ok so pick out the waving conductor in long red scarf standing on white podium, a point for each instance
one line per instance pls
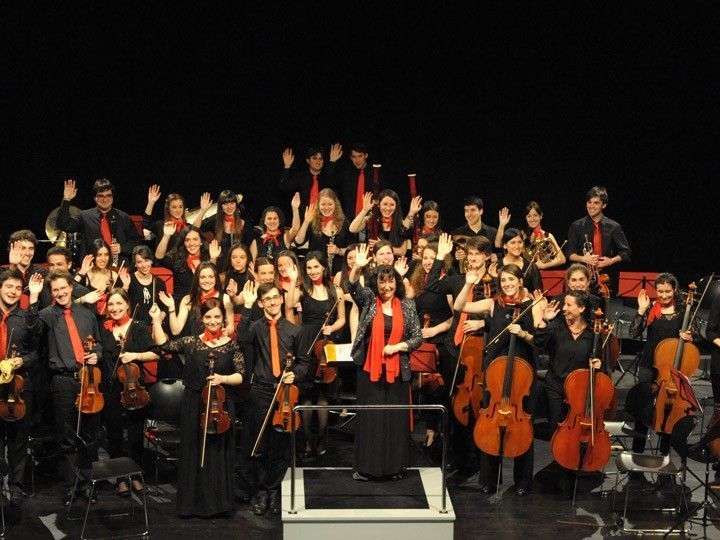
(388, 331)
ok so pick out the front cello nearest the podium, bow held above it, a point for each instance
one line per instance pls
(503, 428)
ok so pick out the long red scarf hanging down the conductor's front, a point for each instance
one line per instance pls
(374, 359)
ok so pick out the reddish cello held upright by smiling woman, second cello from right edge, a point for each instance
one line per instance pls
(581, 442)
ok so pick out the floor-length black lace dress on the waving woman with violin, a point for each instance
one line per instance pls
(207, 491)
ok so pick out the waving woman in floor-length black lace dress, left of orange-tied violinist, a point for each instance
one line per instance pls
(206, 491)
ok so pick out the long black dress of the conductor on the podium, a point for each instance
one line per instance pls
(382, 438)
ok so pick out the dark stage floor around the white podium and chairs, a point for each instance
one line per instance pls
(541, 514)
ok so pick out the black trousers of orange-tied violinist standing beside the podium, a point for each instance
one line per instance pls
(266, 471)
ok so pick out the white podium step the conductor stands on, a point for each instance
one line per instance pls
(367, 523)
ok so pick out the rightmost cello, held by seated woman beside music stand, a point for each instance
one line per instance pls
(670, 353)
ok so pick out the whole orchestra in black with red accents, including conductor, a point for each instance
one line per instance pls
(84, 337)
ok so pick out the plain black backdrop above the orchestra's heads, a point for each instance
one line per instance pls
(512, 102)
